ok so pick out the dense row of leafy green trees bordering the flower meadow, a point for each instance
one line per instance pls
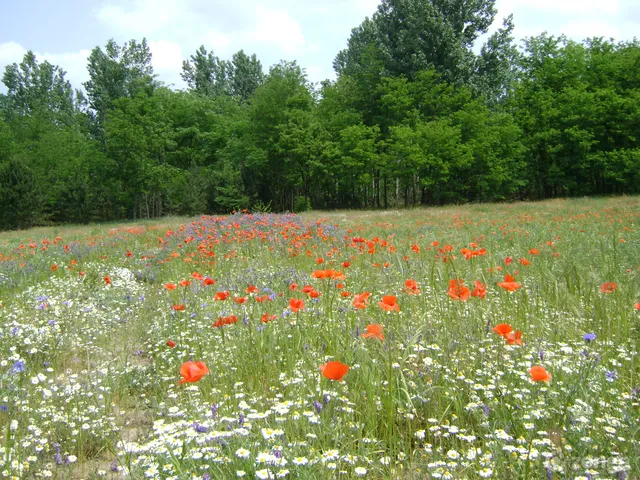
(414, 117)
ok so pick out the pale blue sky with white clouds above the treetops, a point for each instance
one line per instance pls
(311, 32)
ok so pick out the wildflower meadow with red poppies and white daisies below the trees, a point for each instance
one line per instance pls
(486, 341)
